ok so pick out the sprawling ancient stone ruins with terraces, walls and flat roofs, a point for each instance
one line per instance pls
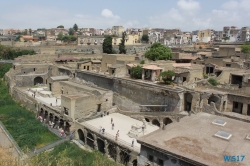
(187, 123)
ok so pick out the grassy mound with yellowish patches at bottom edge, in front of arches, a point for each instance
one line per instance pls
(69, 154)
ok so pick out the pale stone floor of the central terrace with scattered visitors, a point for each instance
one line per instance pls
(122, 123)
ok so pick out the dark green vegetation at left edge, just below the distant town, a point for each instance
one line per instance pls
(7, 52)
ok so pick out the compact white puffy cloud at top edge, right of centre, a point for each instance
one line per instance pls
(188, 5)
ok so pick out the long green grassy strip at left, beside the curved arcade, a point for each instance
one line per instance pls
(21, 123)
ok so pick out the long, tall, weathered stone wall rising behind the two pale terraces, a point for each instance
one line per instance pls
(139, 93)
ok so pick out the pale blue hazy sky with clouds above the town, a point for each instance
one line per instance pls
(187, 15)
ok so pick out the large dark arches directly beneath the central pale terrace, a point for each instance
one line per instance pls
(88, 139)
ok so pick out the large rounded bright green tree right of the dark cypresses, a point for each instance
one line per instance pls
(158, 52)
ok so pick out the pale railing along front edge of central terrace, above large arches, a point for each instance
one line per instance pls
(111, 137)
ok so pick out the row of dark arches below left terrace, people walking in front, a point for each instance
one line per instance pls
(58, 122)
